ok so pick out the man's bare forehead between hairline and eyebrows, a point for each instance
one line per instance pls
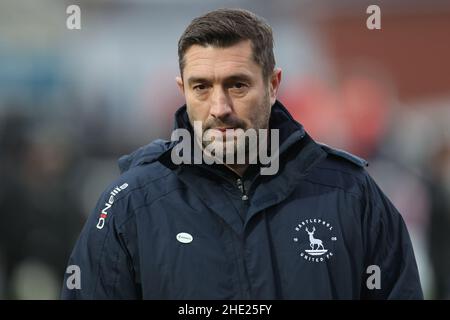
(213, 62)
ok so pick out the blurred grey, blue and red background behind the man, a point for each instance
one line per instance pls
(73, 101)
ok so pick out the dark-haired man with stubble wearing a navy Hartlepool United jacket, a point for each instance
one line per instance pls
(315, 226)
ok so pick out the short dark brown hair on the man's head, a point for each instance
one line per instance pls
(225, 27)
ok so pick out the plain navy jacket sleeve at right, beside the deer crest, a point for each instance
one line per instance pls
(389, 251)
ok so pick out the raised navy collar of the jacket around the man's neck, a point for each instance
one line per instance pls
(298, 154)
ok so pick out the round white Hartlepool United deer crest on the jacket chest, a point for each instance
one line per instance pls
(315, 238)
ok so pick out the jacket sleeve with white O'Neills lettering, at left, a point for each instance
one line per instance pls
(100, 266)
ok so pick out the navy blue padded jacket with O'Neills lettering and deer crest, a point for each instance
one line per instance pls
(318, 229)
